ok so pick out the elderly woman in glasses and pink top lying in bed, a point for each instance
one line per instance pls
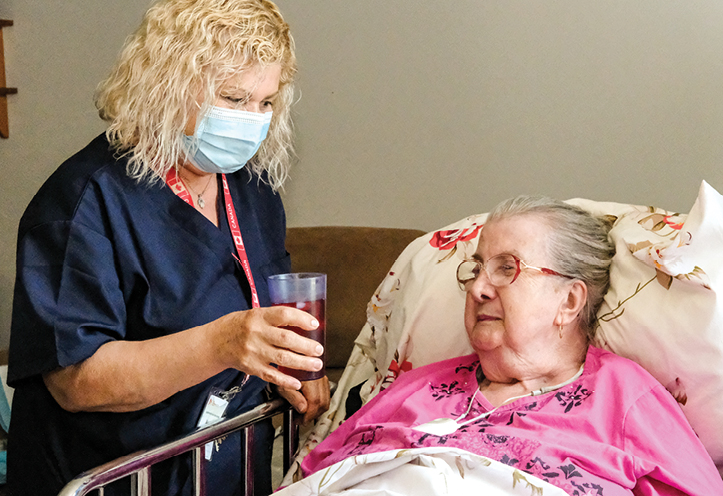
(536, 395)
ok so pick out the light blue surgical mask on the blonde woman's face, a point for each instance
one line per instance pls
(227, 139)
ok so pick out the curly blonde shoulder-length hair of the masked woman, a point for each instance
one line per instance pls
(184, 48)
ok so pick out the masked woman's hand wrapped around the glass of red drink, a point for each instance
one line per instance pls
(252, 340)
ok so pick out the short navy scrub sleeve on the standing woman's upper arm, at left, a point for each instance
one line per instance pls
(67, 298)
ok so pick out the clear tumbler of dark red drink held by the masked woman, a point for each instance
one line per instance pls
(305, 291)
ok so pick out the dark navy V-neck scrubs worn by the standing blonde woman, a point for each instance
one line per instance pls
(100, 258)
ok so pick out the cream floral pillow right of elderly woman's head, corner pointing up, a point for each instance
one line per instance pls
(664, 309)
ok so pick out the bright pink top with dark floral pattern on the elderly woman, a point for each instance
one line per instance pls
(613, 431)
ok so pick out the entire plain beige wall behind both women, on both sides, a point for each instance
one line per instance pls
(417, 113)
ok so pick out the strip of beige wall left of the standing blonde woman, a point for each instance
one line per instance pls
(55, 54)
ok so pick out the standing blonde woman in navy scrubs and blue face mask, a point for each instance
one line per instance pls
(142, 261)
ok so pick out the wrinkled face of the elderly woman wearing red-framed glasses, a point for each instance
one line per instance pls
(513, 327)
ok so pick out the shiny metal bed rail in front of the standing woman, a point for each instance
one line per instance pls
(137, 466)
